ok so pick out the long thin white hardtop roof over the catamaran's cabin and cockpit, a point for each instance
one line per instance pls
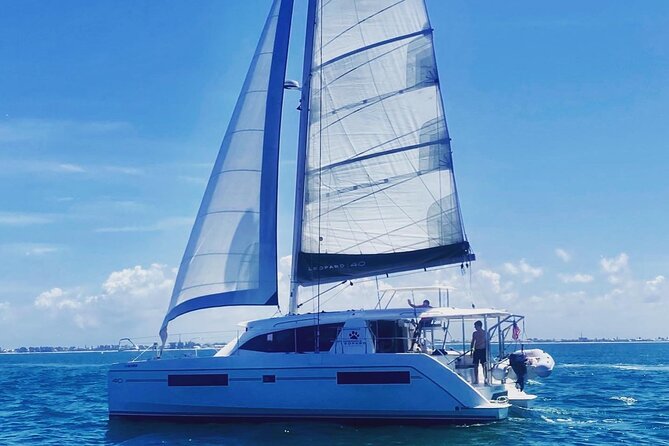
(387, 314)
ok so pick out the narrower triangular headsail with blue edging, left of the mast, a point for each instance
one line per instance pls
(230, 258)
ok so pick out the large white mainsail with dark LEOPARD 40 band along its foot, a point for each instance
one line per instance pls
(379, 193)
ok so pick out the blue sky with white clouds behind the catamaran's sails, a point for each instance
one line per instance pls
(112, 112)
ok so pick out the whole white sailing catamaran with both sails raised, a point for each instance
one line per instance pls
(375, 196)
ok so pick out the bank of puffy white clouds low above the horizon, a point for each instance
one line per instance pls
(132, 302)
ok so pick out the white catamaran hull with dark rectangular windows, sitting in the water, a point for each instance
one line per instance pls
(410, 387)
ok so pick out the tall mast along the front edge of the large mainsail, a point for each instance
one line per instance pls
(302, 151)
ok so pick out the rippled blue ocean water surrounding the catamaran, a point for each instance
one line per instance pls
(598, 394)
